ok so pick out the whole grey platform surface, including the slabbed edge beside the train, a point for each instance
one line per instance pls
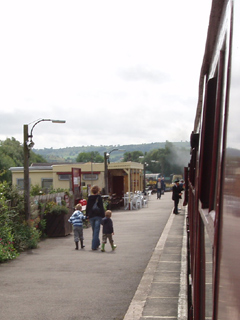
(137, 281)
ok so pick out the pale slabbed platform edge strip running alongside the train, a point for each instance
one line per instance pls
(162, 293)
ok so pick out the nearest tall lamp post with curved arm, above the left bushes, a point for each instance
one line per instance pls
(27, 146)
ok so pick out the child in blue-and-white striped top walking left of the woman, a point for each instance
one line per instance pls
(77, 221)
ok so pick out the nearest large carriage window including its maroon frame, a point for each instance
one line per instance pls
(212, 144)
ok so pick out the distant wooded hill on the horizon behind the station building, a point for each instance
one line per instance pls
(69, 154)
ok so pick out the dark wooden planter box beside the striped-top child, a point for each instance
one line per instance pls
(58, 225)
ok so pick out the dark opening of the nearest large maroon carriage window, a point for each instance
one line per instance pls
(212, 137)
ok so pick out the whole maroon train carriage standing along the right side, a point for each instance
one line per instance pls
(213, 190)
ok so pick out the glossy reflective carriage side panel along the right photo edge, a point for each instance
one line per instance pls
(229, 276)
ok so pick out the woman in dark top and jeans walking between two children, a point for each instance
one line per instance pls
(95, 215)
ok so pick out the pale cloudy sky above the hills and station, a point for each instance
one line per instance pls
(119, 72)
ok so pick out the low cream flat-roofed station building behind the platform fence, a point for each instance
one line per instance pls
(122, 176)
